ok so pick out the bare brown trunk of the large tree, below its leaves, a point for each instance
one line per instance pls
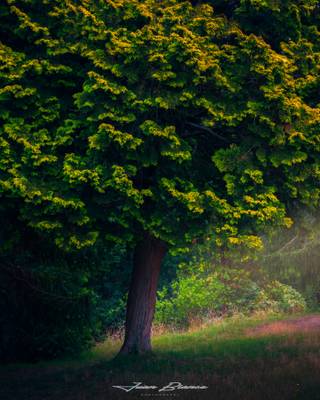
(147, 261)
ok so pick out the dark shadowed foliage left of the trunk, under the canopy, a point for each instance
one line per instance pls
(52, 304)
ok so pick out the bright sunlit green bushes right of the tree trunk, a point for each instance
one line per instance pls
(196, 296)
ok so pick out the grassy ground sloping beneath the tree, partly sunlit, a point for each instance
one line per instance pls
(240, 358)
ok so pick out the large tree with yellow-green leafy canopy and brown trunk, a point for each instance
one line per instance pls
(155, 123)
